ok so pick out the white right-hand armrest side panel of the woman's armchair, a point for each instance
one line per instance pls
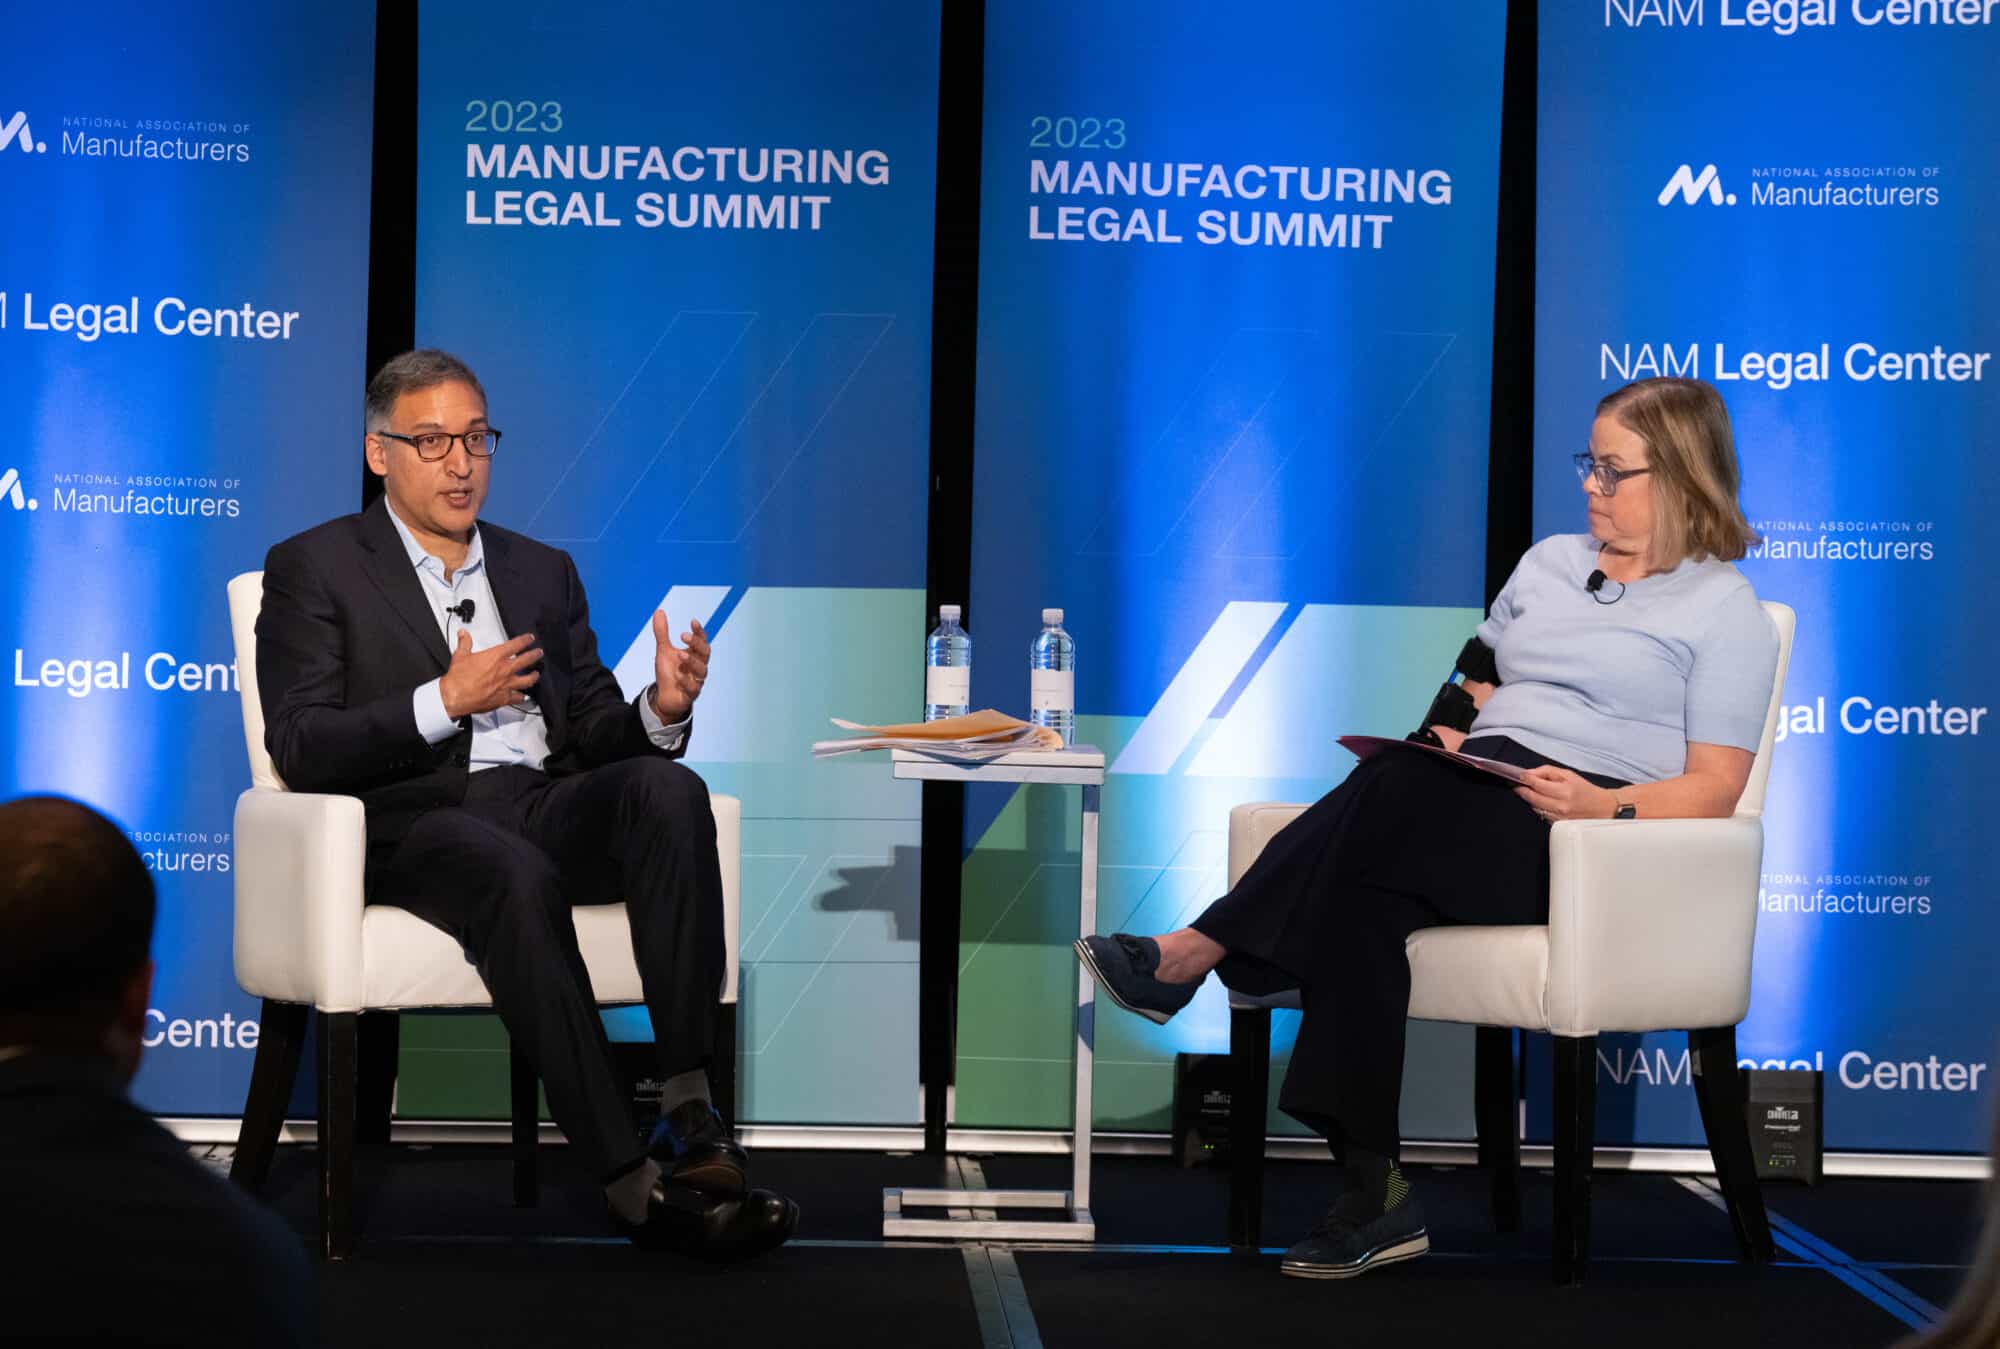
(1651, 924)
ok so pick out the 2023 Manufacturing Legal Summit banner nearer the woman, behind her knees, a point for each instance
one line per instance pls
(1233, 413)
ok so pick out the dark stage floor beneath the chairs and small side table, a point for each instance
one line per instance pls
(445, 1260)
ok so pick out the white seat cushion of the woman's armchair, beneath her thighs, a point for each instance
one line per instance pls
(1481, 976)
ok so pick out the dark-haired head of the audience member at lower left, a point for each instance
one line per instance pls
(75, 932)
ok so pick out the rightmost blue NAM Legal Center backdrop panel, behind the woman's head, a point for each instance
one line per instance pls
(1799, 203)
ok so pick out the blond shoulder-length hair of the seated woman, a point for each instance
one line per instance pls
(1693, 459)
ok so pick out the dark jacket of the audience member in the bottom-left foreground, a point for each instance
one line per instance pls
(111, 1234)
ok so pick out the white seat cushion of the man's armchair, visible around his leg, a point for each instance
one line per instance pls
(411, 964)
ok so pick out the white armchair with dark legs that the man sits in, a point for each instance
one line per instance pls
(307, 942)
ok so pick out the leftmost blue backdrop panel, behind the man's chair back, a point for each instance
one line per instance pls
(183, 277)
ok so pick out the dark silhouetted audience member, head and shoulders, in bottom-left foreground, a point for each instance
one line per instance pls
(111, 1234)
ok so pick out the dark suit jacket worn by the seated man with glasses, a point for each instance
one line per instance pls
(347, 635)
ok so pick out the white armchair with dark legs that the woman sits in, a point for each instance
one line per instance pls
(1651, 928)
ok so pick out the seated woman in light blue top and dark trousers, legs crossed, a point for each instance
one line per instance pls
(1629, 671)
